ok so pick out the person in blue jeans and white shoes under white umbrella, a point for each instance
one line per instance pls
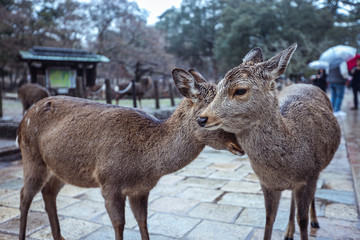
(337, 80)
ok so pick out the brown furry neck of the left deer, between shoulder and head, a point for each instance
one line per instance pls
(179, 144)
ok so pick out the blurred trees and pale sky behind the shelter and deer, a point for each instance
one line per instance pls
(211, 36)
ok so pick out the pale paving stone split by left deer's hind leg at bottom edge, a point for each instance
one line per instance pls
(70, 229)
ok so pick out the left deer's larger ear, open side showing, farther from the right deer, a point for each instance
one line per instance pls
(186, 83)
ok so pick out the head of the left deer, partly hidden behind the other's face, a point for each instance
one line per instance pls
(199, 93)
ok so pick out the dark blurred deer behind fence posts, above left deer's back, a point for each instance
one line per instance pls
(140, 89)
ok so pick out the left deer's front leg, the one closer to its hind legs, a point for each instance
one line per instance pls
(115, 206)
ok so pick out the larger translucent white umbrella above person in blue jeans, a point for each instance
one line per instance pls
(335, 55)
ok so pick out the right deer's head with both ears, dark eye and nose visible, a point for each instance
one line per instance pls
(245, 93)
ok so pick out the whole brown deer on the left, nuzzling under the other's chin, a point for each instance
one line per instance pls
(123, 151)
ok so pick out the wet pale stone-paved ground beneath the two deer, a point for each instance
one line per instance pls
(216, 197)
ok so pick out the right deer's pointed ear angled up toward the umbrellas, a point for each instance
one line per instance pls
(276, 65)
